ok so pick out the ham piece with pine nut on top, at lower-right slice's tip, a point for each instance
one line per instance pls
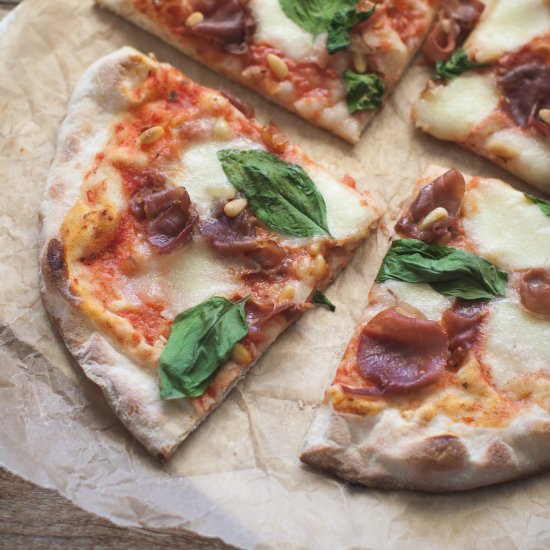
(435, 209)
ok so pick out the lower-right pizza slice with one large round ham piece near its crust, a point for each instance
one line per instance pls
(445, 383)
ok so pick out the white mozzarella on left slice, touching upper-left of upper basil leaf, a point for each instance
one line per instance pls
(201, 173)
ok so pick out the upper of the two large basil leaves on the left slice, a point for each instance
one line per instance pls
(281, 194)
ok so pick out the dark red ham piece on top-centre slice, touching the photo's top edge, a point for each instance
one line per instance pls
(225, 22)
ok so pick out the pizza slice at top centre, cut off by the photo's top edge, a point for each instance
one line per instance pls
(333, 63)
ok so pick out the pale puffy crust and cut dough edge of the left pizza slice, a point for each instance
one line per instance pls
(130, 389)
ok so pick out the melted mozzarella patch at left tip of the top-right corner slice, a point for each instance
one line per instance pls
(451, 111)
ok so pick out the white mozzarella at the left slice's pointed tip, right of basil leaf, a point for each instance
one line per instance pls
(348, 214)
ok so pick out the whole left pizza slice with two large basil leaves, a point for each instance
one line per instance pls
(180, 238)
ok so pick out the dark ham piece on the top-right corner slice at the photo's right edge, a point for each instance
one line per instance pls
(526, 89)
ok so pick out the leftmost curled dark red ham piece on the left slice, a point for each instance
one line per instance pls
(170, 219)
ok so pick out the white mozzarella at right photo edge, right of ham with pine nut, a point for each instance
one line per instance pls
(505, 227)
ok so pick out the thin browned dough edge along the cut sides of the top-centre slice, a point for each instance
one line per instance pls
(335, 119)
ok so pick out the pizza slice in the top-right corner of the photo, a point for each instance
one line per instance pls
(491, 94)
